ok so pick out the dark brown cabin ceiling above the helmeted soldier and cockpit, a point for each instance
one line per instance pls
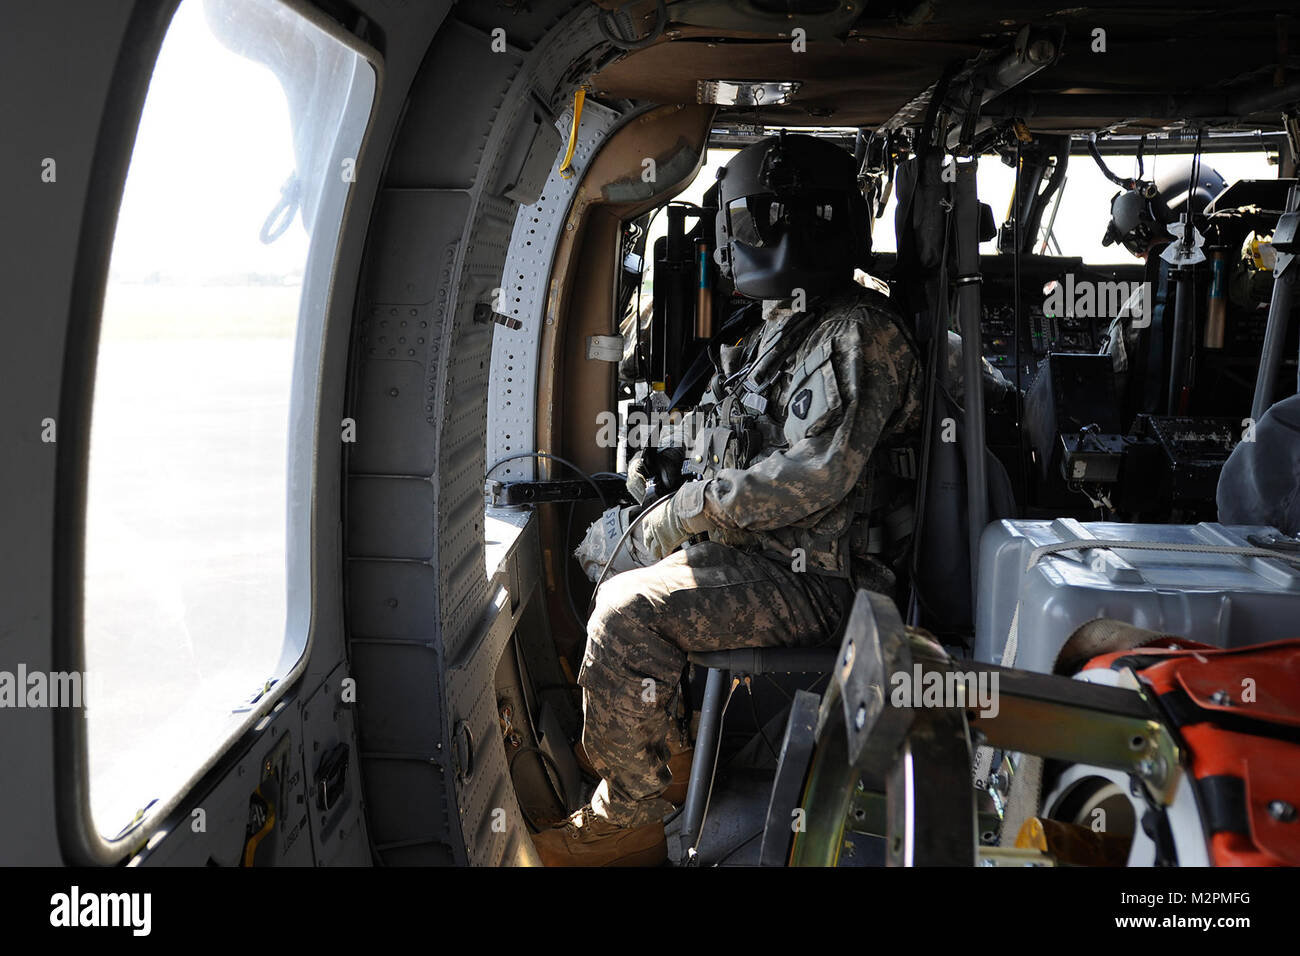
(1164, 64)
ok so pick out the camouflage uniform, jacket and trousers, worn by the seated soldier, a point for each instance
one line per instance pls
(791, 471)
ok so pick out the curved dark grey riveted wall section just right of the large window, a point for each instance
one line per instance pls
(426, 635)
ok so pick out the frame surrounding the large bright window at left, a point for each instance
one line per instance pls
(80, 837)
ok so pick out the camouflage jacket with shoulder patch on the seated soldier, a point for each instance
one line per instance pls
(792, 440)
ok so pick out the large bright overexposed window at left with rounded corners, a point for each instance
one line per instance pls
(198, 526)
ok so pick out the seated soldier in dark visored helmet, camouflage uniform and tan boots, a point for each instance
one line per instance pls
(786, 517)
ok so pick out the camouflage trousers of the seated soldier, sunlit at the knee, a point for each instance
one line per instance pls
(705, 598)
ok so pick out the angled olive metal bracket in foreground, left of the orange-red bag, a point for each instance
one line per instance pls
(920, 756)
